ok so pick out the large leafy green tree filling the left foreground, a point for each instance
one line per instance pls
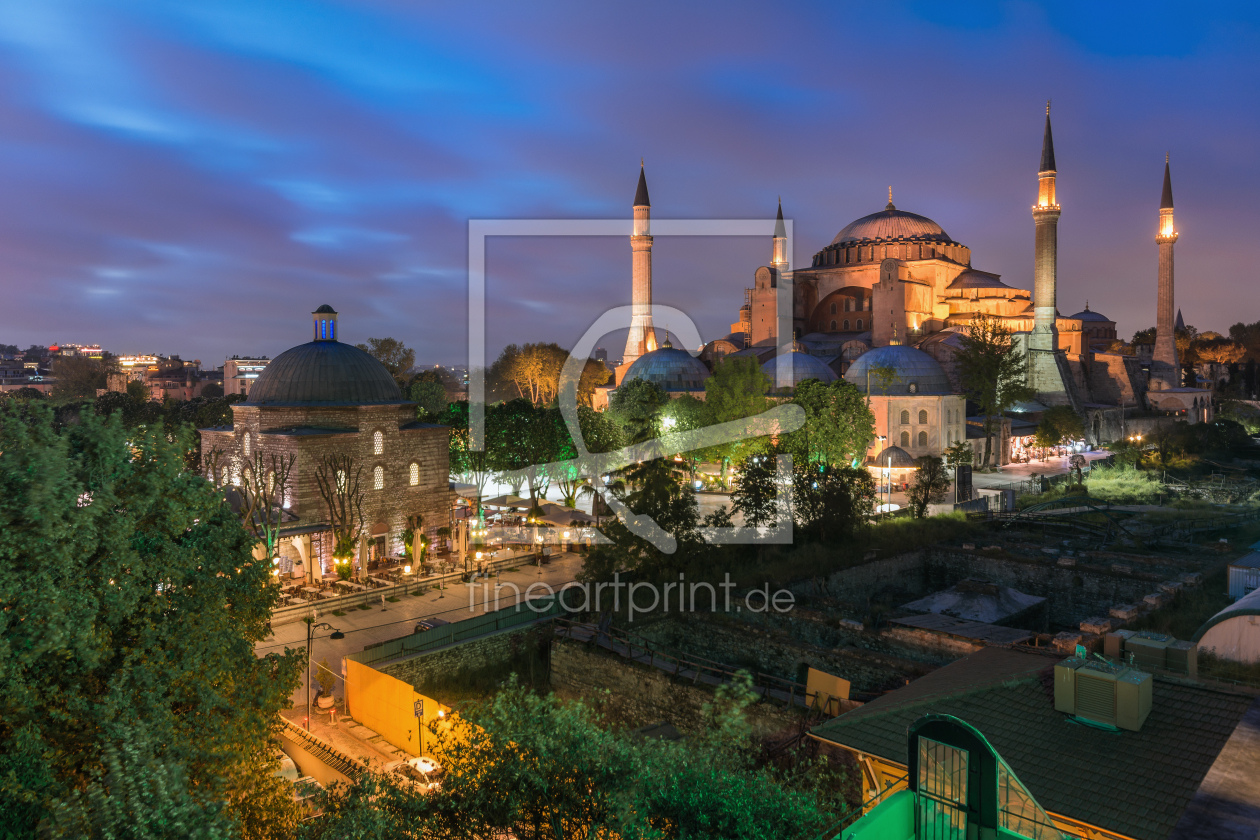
(139, 584)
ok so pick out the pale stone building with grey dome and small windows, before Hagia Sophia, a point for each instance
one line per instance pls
(915, 409)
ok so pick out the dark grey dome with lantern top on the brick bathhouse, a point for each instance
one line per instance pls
(326, 372)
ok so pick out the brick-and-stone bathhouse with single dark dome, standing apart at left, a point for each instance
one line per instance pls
(327, 399)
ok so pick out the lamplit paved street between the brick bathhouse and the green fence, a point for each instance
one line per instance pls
(364, 628)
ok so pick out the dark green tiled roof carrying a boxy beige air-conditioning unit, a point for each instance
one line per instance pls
(1137, 784)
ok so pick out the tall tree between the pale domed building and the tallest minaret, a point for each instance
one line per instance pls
(994, 373)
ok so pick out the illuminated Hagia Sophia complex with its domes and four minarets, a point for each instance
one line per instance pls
(894, 289)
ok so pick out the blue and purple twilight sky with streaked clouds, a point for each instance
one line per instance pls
(196, 178)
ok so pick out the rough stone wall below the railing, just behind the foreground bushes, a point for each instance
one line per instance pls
(634, 696)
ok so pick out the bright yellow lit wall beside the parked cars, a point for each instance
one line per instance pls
(387, 707)
